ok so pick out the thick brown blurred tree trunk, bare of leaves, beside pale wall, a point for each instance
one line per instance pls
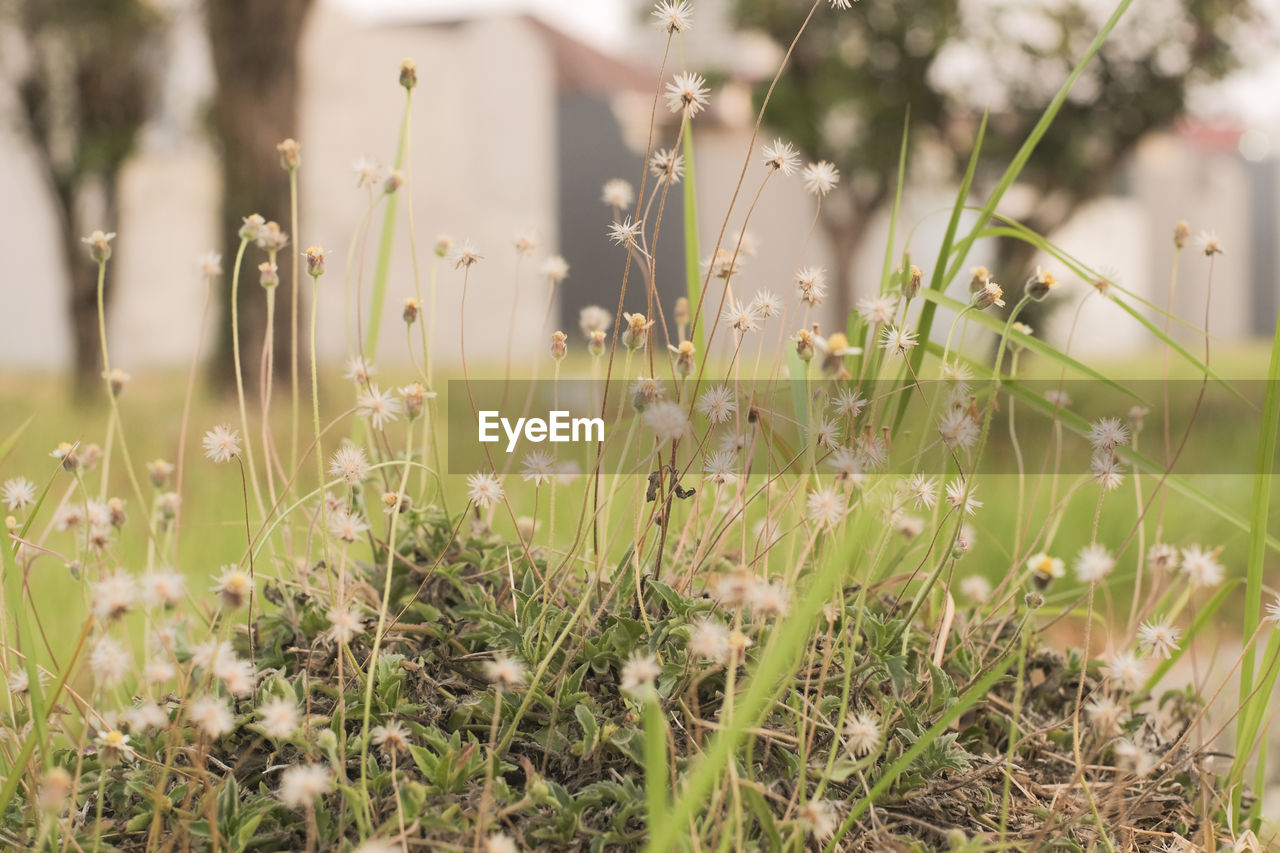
(255, 48)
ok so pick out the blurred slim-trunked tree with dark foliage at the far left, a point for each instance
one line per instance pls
(86, 89)
